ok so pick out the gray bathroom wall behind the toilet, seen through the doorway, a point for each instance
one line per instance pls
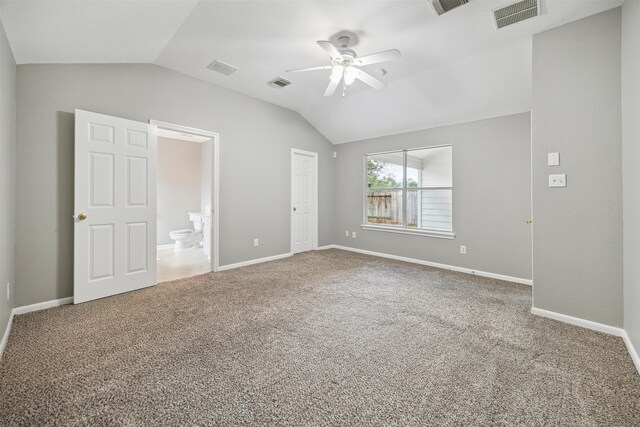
(178, 190)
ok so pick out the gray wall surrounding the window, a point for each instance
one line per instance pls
(491, 196)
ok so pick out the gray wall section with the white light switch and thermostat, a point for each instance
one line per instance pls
(577, 237)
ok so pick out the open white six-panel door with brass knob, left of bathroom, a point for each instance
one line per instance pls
(115, 206)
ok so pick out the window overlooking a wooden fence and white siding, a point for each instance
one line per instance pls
(410, 191)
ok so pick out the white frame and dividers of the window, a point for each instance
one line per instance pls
(403, 229)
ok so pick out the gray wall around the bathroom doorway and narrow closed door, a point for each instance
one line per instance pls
(255, 150)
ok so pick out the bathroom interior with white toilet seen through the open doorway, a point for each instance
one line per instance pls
(184, 197)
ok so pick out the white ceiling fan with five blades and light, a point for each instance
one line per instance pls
(345, 65)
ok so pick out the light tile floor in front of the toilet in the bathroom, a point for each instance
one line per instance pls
(174, 265)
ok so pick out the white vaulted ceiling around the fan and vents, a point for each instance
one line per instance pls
(454, 68)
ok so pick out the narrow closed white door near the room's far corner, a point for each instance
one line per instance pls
(303, 201)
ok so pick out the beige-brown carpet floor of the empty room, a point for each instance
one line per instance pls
(322, 338)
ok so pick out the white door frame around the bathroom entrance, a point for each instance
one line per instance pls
(215, 187)
